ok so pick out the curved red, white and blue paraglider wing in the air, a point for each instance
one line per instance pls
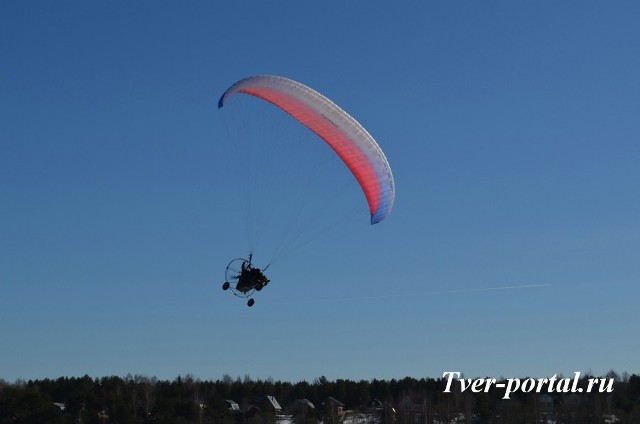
(355, 146)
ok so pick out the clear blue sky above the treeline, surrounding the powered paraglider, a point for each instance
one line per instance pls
(511, 128)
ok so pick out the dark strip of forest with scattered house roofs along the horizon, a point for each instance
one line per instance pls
(186, 399)
